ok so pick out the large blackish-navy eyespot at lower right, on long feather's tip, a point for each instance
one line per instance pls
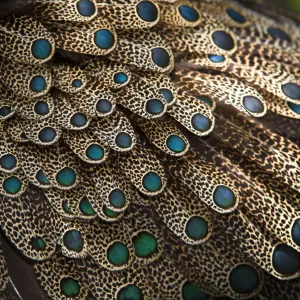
(285, 260)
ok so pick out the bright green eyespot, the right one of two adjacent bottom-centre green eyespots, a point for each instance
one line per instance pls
(145, 244)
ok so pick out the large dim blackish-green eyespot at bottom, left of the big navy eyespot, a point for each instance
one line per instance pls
(244, 279)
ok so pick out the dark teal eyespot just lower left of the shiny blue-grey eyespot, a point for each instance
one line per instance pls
(196, 228)
